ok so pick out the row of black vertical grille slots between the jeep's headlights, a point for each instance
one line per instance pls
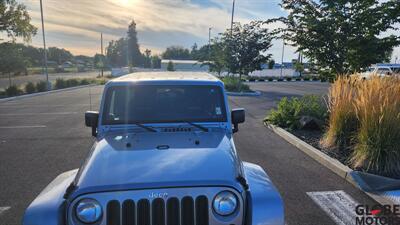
(187, 211)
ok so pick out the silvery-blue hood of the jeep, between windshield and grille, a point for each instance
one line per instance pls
(155, 160)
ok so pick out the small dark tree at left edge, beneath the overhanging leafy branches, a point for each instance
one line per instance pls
(11, 59)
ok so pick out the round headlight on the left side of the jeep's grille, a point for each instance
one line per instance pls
(88, 210)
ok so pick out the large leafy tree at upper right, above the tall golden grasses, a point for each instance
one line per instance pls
(341, 36)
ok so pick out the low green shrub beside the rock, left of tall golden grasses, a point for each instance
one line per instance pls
(289, 111)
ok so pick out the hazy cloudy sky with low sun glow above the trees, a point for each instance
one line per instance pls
(76, 24)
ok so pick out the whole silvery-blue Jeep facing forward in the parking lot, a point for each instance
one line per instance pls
(164, 155)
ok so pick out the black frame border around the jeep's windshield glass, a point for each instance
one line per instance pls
(107, 102)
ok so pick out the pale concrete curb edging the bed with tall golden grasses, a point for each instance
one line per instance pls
(333, 164)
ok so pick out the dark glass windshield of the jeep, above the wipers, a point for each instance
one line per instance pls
(163, 104)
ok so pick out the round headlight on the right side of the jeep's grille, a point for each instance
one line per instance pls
(225, 203)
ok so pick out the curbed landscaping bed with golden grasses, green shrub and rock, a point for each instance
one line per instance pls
(357, 123)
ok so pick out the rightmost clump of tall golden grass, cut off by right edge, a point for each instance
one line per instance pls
(377, 108)
